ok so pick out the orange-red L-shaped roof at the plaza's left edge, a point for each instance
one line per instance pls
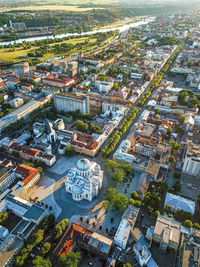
(27, 172)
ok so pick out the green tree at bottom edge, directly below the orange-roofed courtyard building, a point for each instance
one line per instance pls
(69, 260)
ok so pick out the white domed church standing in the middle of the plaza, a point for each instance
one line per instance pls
(84, 180)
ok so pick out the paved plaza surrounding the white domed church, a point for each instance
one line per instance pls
(51, 191)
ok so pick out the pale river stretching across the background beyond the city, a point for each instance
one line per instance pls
(120, 28)
